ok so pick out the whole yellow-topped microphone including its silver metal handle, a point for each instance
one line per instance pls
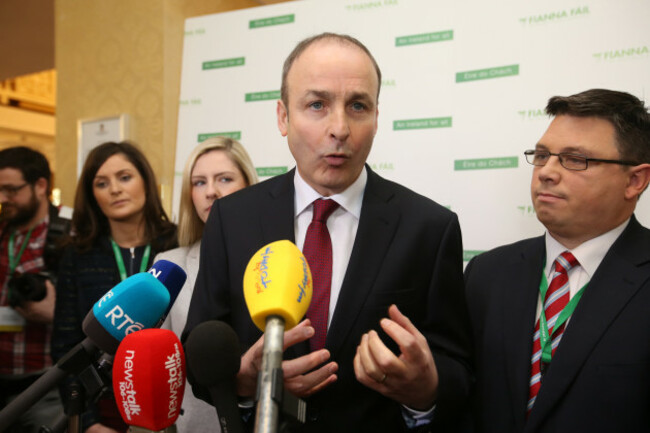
(277, 290)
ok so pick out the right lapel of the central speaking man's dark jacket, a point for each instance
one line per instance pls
(377, 225)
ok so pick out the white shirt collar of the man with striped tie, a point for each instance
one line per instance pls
(589, 253)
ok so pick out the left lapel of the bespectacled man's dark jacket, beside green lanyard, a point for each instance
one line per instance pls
(520, 295)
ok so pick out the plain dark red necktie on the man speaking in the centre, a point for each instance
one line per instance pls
(318, 252)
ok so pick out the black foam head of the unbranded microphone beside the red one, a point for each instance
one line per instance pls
(213, 353)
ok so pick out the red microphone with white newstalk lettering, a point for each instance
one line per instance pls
(149, 380)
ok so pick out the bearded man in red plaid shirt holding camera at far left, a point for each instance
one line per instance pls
(29, 224)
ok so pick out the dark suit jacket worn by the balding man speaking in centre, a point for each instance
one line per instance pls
(407, 251)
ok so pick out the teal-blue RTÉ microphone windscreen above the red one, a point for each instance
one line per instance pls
(134, 304)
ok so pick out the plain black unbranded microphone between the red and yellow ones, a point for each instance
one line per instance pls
(213, 358)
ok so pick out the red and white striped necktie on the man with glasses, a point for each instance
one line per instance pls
(557, 297)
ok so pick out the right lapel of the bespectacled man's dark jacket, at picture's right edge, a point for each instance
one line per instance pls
(617, 279)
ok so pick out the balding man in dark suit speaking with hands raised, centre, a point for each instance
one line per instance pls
(390, 246)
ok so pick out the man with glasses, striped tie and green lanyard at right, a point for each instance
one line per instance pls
(585, 366)
